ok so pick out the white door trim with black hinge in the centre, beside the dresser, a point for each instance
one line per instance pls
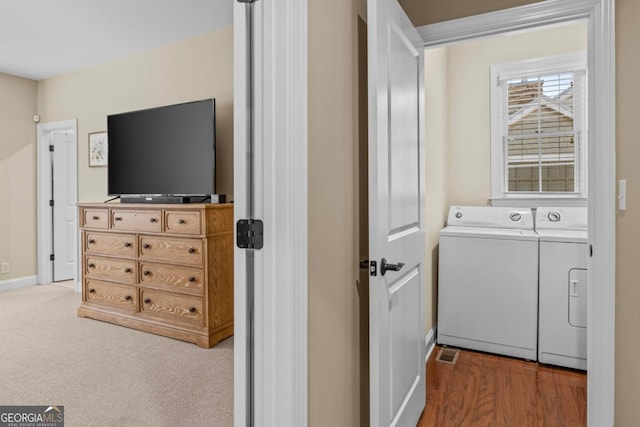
(280, 200)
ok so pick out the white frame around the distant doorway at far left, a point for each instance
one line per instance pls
(44, 191)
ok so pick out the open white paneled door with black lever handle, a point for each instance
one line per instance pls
(396, 224)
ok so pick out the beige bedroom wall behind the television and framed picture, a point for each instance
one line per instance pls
(197, 68)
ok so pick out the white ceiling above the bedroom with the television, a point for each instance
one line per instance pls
(44, 38)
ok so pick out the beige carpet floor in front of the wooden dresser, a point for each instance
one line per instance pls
(103, 374)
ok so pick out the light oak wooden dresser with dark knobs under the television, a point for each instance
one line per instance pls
(165, 269)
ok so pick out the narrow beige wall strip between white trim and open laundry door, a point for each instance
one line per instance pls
(334, 394)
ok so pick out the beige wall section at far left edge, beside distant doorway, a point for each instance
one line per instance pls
(17, 176)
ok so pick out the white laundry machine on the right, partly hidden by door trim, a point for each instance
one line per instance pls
(562, 331)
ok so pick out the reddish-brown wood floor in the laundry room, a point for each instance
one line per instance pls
(492, 391)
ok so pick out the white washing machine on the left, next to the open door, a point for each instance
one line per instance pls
(488, 281)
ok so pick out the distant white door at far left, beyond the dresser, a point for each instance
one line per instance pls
(64, 204)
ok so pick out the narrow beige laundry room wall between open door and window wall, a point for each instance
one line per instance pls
(436, 166)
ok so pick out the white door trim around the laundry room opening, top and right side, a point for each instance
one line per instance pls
(600, 15)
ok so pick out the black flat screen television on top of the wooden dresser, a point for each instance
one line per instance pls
(163, 154)
